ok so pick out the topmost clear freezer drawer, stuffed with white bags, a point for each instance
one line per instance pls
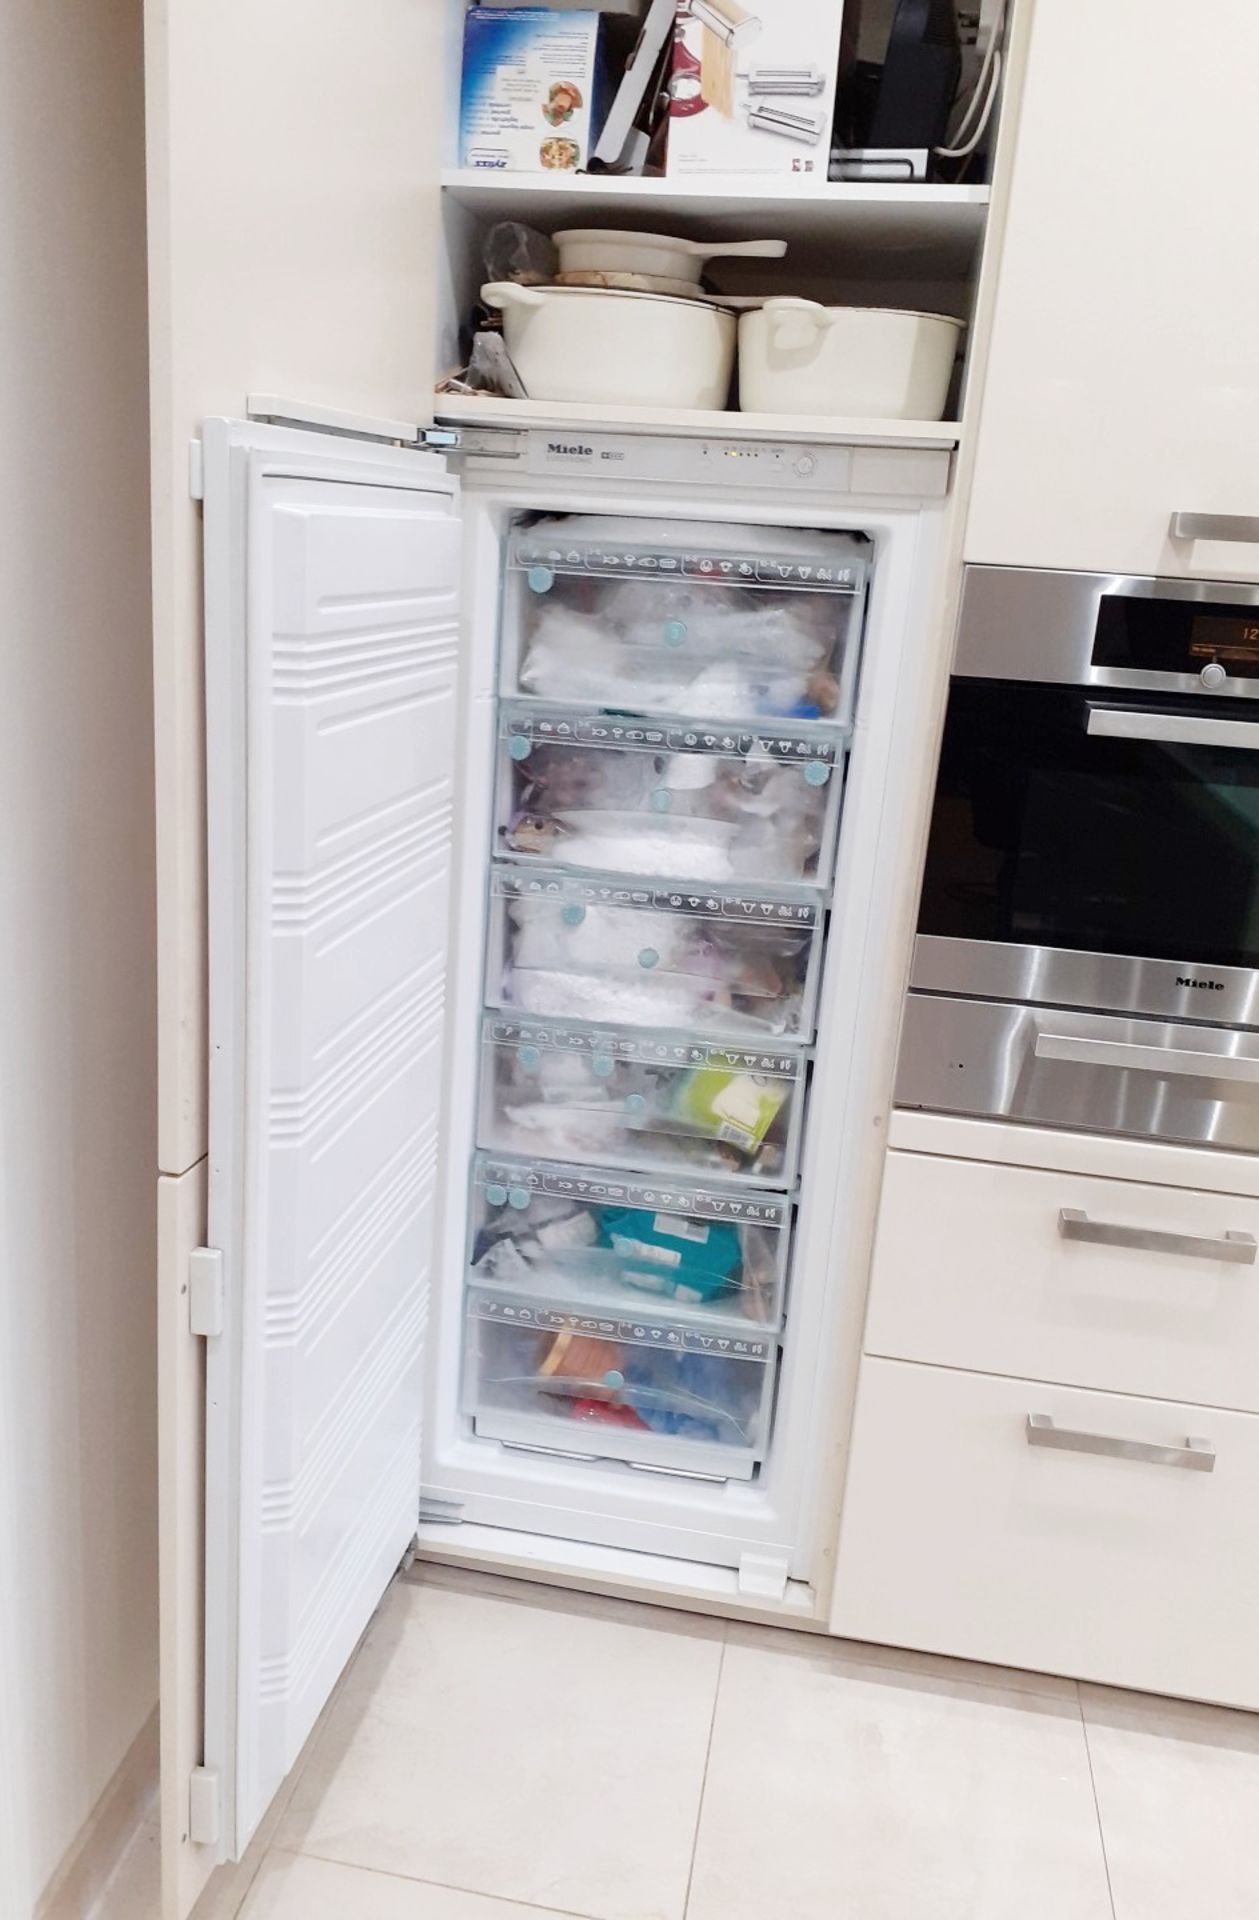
(721, 625)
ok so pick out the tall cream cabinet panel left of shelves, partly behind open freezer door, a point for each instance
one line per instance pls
(293, 170)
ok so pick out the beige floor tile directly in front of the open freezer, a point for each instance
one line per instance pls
(540, 1752)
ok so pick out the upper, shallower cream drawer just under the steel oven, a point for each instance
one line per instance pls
(976, 1266)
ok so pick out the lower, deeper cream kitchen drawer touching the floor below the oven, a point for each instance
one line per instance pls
(961, 1537)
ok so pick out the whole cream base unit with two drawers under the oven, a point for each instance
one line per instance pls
(1058, 1429)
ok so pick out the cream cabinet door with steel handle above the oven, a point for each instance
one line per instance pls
(1124, 377)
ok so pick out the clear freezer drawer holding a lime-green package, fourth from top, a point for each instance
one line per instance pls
(648, 1101)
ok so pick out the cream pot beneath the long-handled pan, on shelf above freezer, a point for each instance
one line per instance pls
(634, 350)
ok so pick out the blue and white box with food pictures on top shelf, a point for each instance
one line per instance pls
(534, 89)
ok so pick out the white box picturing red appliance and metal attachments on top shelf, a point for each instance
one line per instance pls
(753, 89)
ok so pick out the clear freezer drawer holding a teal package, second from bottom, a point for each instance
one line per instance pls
(630, 1245)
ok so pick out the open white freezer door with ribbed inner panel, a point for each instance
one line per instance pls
(331, 631)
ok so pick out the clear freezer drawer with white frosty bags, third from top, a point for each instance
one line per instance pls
(721, 961)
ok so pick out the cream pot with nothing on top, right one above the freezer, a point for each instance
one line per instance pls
(874, 364)
